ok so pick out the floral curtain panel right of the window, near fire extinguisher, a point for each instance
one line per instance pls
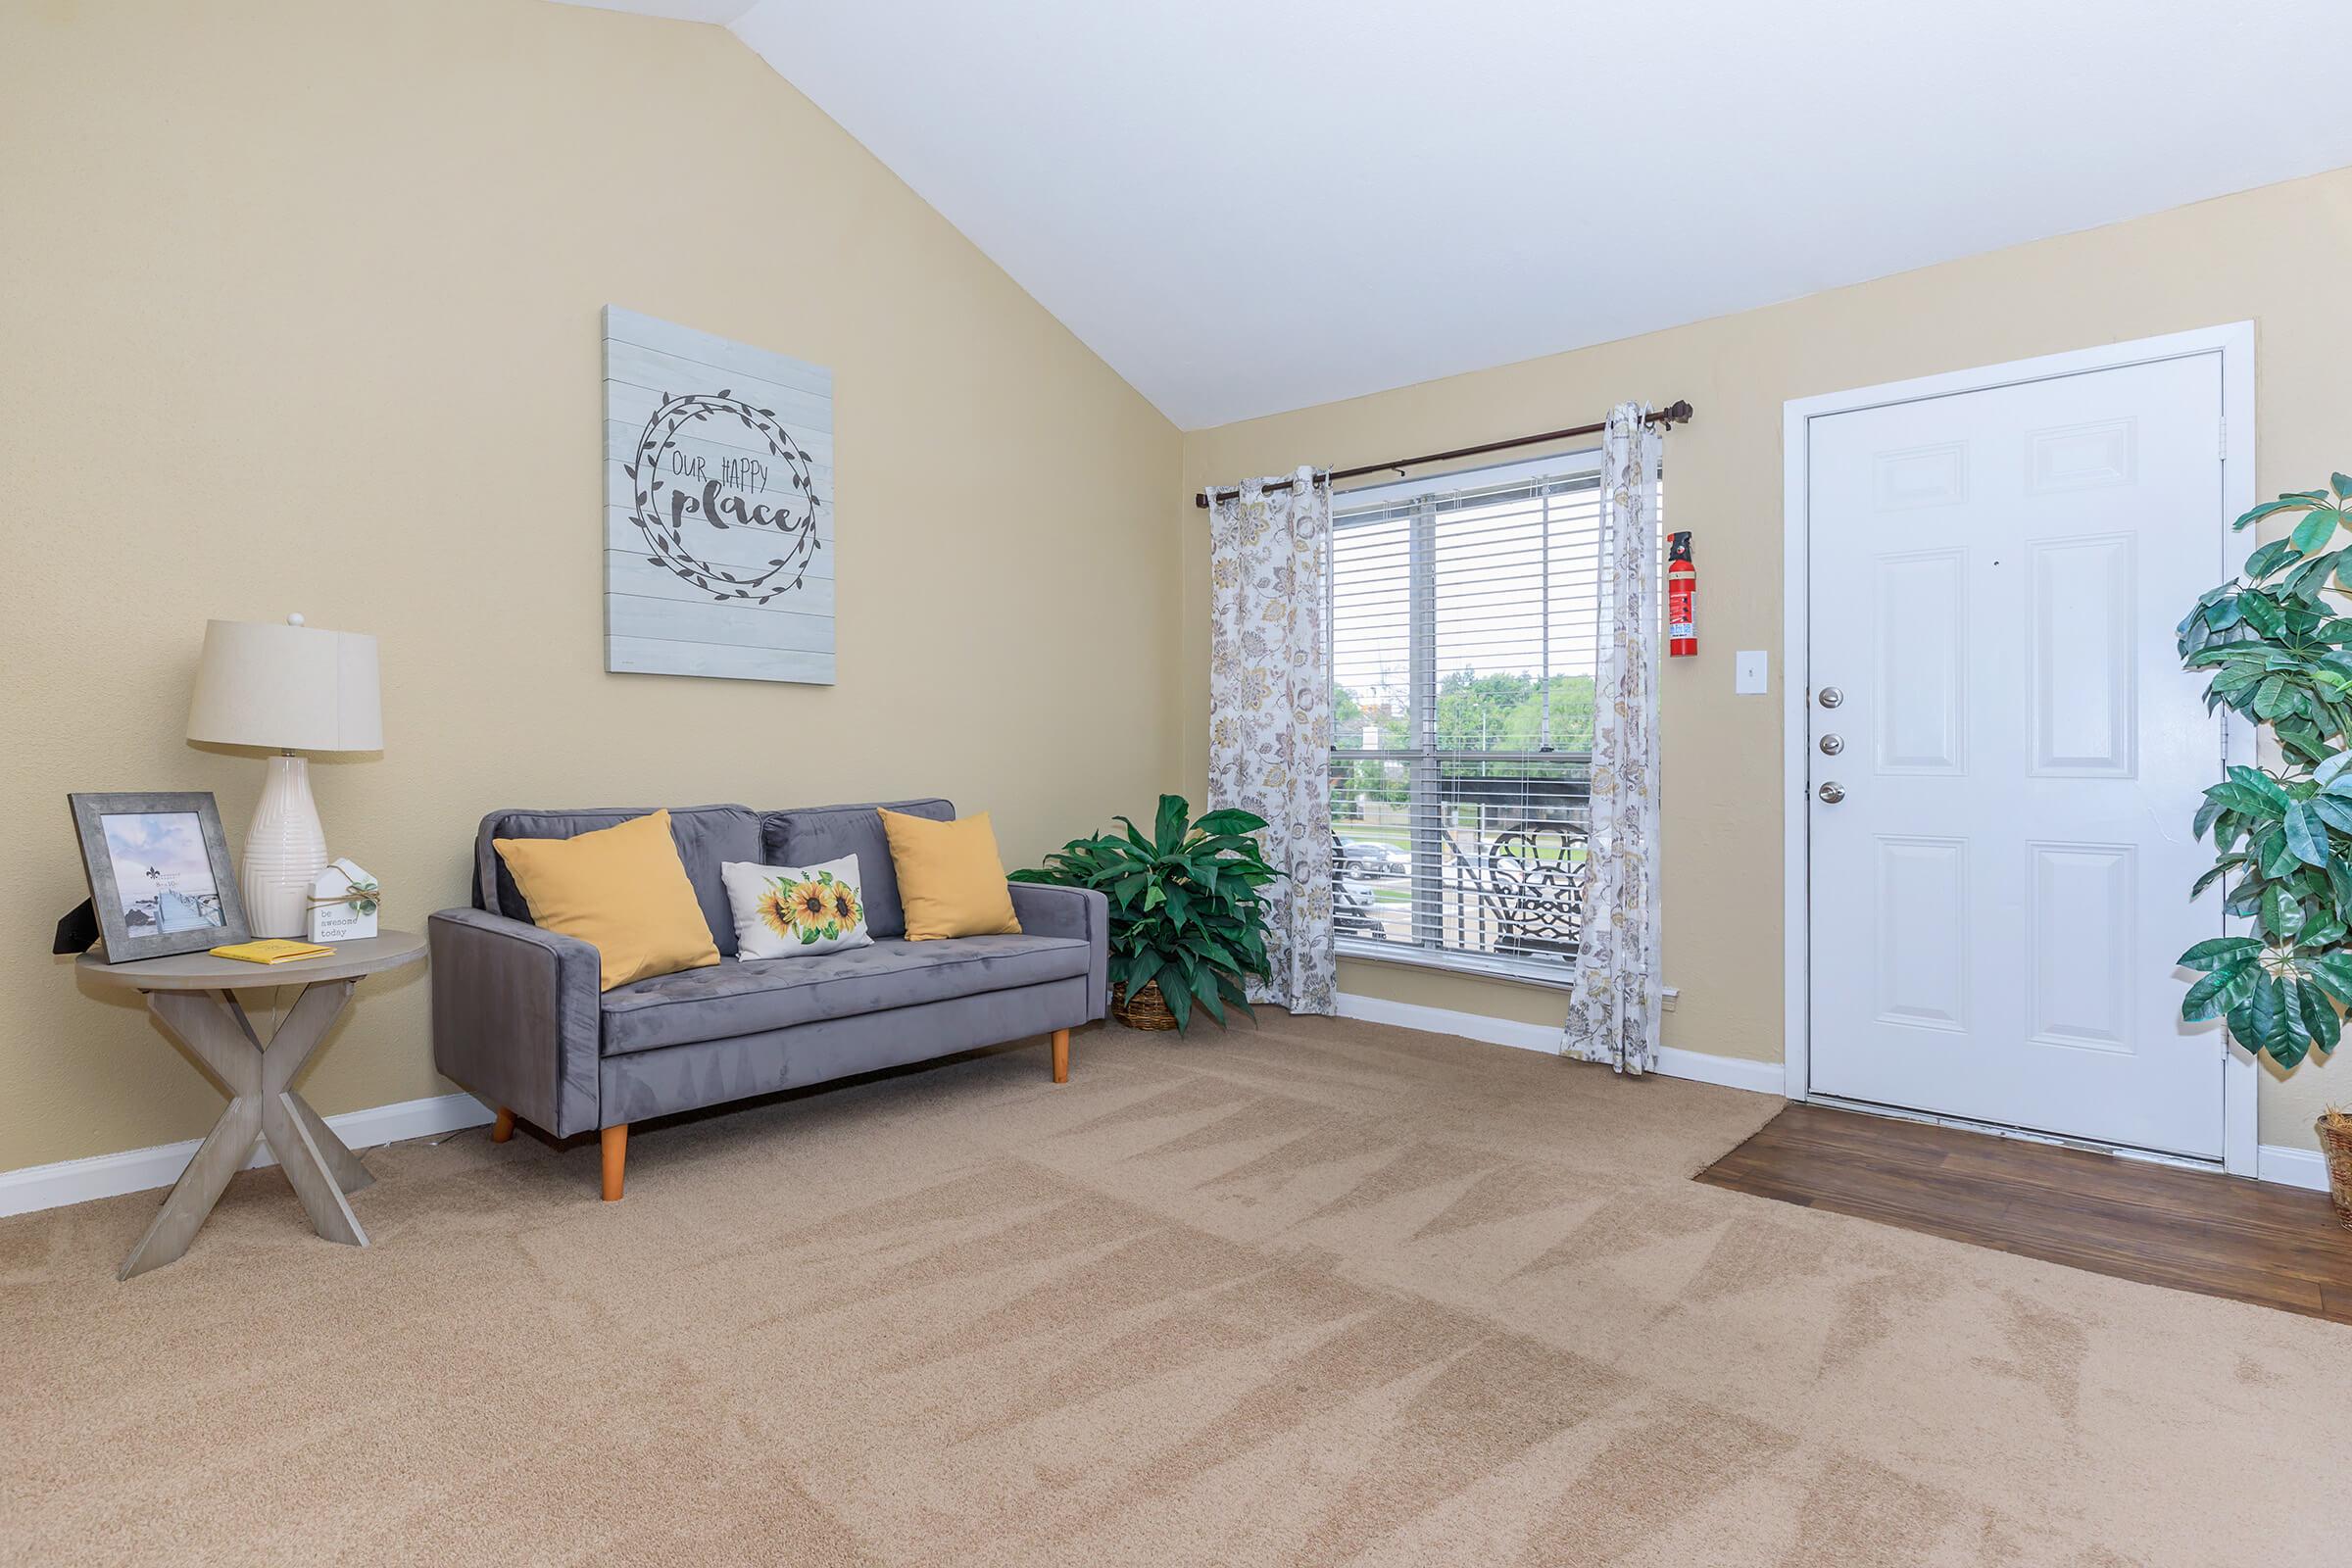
(1615, 1003)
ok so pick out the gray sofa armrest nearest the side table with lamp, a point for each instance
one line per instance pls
(519, 1019)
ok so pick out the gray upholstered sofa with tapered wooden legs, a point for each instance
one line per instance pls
(521, 1024)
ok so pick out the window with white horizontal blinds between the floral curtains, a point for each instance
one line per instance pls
(1464, 643)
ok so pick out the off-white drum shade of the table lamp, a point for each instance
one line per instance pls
(290, 688)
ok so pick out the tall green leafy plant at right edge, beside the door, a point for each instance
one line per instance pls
(2283, 838)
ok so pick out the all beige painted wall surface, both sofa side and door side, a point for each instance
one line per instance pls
(300, 311)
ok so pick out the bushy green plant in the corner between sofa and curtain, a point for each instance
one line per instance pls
(1187, 918)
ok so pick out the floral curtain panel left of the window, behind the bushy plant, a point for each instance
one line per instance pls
(1271, 713)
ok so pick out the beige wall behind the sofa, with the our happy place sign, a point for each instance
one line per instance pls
(300, 311)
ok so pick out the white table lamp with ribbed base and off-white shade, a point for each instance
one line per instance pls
(298, 690)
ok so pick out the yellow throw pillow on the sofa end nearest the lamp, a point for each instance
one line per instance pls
(620, 890)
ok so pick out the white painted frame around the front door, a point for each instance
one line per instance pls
(2238, 495)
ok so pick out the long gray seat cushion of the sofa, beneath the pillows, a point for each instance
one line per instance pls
(737, 998)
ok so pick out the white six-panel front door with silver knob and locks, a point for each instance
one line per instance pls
(2000, 892)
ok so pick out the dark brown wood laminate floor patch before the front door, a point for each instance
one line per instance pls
(2191, 1231)
